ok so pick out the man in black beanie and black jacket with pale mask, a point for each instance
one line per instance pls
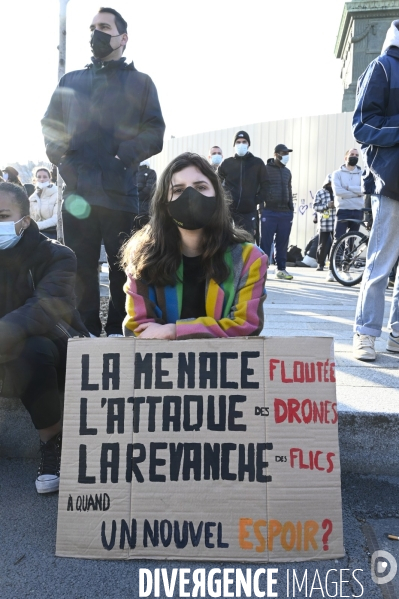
(244, 176)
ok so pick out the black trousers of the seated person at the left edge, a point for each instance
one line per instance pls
(36, 374)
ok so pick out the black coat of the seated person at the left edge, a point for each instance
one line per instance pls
(37, 290)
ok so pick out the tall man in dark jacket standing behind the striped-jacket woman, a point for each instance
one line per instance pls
(102, 121)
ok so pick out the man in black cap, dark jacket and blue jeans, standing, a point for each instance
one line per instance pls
(278, 212)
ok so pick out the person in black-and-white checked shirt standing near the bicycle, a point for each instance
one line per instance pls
(324, 205)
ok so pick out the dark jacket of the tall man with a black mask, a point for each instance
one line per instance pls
(106, 110)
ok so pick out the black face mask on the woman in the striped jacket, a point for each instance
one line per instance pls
(192, 210)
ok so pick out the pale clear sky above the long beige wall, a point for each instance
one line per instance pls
(216, 63)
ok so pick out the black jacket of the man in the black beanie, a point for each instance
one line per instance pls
(245, 178)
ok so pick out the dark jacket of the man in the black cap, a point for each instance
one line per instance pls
(278, 187)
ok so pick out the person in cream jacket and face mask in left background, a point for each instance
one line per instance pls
(43, 203)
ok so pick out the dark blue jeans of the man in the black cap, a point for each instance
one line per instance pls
(277, 224)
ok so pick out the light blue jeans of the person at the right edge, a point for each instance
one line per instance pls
(382, 253)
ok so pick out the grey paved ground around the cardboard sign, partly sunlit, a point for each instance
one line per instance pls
(366, 392)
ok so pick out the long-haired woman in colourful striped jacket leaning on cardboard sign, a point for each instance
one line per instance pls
(191, 274)
